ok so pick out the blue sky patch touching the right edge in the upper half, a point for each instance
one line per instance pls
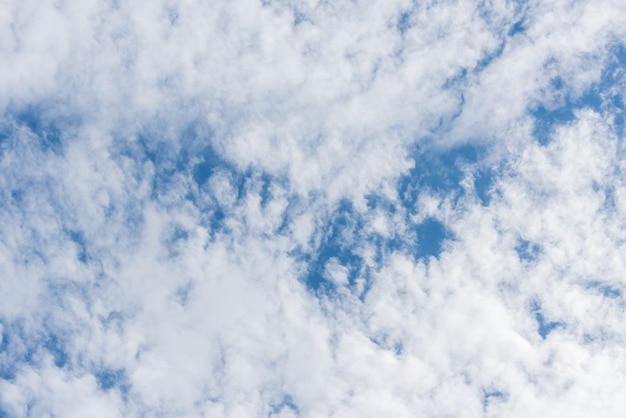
(601, 96)
